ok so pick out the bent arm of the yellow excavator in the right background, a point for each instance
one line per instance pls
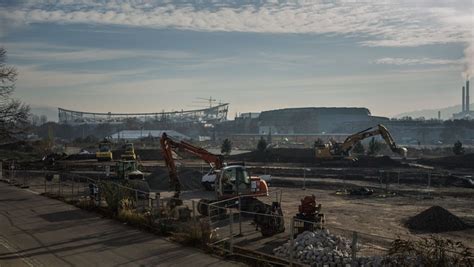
(373, 131)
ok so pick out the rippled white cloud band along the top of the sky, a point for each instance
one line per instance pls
(380, 23)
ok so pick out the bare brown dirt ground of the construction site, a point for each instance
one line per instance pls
(378, 218)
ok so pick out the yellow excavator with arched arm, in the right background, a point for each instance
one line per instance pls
(334, 150)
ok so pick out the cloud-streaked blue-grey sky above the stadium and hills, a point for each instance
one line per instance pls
(150, 56)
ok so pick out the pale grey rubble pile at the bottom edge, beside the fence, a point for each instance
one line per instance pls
(318, 248)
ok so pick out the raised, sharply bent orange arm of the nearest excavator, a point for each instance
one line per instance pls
(168, 145)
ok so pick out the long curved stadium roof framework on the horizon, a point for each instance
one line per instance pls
(209, 115)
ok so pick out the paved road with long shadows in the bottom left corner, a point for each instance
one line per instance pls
(38, 231)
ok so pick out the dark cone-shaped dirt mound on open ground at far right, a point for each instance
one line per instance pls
(436, 220)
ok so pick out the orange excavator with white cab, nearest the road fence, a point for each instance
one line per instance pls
(231, 181)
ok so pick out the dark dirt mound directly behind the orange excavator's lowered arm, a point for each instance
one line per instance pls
(190, 179)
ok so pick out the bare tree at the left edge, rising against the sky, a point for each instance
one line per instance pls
(13, 114)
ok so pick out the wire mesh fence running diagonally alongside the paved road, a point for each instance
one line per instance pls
(226, 227)
